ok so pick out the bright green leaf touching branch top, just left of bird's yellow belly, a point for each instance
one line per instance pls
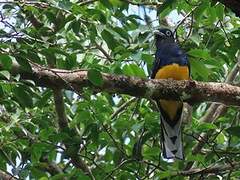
(133, 70)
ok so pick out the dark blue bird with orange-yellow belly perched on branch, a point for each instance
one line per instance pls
(170, 62)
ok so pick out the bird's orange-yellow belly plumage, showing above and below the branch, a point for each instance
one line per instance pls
(173, 71)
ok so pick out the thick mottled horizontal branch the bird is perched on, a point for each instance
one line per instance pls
(188, 91)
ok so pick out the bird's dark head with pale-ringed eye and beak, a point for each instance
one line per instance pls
(163, 35)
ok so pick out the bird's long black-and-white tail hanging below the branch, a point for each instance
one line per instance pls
(172, 139)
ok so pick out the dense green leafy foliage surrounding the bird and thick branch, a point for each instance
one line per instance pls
(114, 37)
